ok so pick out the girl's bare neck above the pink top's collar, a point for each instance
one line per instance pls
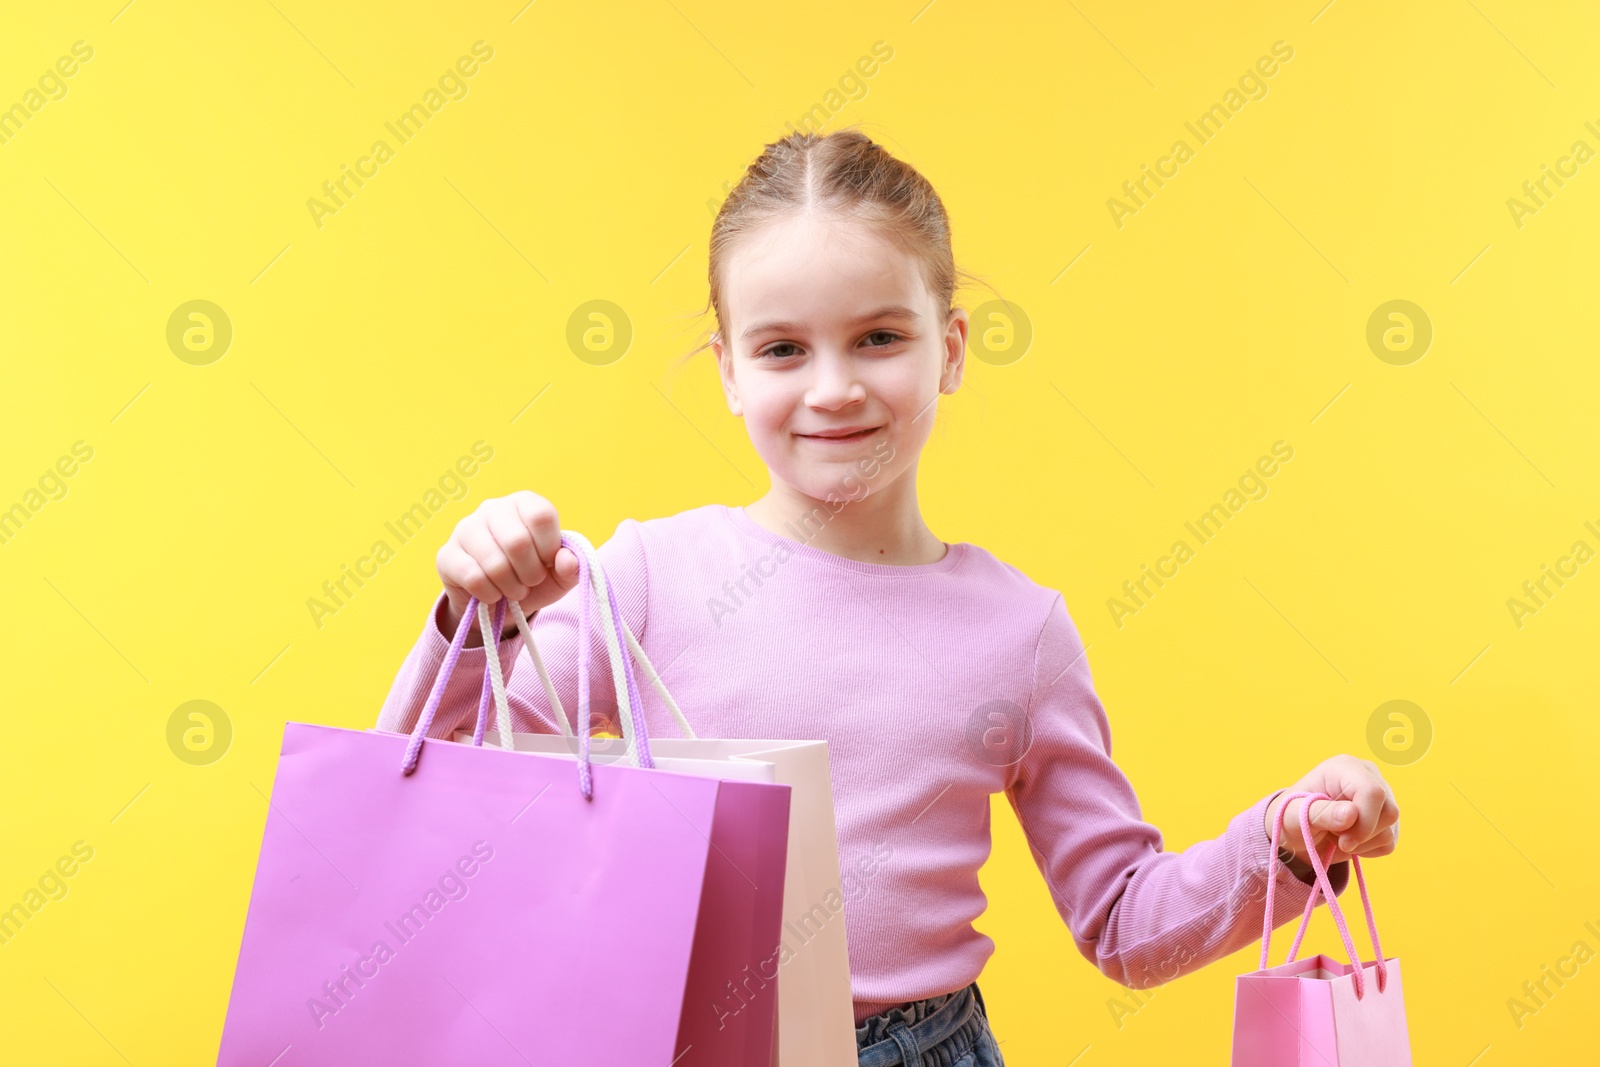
(884, 527)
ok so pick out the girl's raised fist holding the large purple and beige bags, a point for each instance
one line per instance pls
(510, 548)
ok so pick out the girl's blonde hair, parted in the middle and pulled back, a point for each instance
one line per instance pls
(842, 174)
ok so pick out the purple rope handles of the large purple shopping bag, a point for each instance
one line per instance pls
(583, 551)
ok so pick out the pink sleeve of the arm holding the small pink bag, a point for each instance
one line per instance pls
(1140, 914)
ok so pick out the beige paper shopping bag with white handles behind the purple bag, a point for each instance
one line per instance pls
(810, 965)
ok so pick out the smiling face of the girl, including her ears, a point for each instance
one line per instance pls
(834, 354)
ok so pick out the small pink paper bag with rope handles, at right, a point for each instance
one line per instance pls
(1319, 1012)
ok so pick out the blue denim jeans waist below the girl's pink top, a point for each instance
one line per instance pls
(946, 1031)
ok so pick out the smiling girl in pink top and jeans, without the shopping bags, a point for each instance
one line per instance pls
(828, 609)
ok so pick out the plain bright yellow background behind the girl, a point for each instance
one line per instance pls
(428, 314)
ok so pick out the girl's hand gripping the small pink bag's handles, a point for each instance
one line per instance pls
(1362, 820)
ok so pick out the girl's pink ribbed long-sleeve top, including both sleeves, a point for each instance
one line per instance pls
(935, 687)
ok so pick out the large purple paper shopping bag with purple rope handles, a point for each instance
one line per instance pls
(486, 908)
